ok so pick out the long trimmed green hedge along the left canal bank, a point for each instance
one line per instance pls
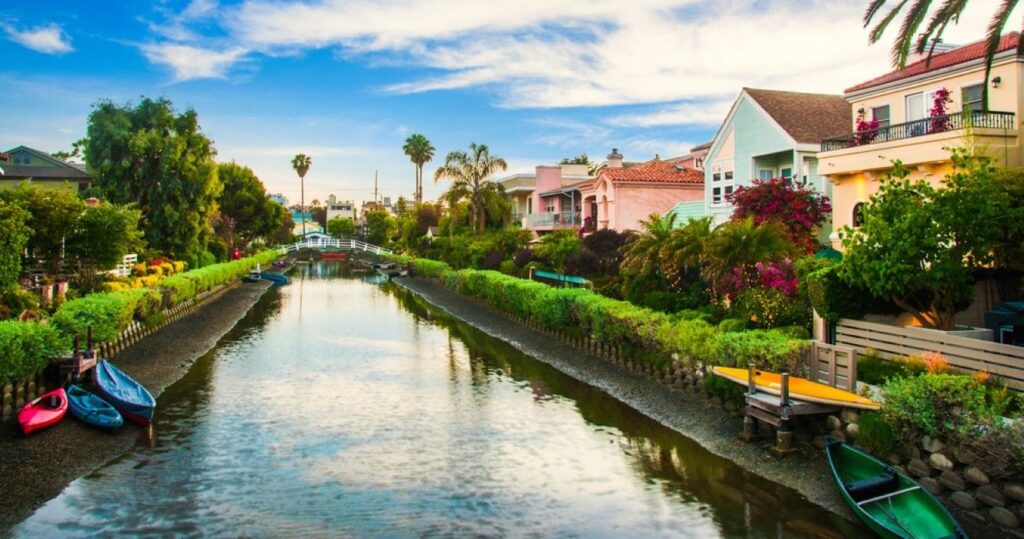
(27, 348)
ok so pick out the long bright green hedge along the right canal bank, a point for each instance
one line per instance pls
(643, 334)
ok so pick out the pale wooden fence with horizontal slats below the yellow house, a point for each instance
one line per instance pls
(962, 353)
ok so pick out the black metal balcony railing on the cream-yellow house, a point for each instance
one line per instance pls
(936, 125)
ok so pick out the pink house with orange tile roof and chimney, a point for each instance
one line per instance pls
(621, 197)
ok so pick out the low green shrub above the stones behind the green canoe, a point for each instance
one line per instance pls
(949, 406)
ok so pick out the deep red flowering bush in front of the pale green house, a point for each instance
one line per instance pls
(797, 209)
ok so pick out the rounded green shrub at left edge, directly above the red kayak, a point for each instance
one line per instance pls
(27, 348)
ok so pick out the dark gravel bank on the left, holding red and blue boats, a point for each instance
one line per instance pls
(36, 470)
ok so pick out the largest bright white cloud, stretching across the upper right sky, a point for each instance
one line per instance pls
(565, 54)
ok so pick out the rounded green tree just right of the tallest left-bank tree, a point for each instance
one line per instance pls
(246, 213)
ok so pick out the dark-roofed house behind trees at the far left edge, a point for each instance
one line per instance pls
(25, 164)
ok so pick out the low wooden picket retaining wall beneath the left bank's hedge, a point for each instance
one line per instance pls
(15, 396)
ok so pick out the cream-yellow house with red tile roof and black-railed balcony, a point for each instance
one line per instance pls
(911, 131)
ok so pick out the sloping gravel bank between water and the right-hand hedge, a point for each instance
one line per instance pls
(687, 412)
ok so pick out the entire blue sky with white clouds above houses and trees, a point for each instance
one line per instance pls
(348, 81)
